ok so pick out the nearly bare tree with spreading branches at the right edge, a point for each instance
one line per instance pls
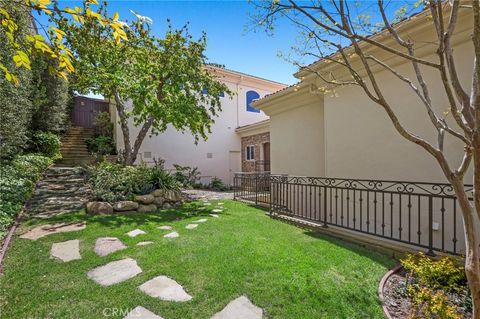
(341, 32)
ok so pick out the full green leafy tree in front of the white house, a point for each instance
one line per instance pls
(154, 81)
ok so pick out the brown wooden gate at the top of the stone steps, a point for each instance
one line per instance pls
(85, 110)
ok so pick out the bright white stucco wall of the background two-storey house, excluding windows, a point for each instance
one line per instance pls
(219, 154)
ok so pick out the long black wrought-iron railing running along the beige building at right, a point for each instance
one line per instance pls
(424, 215)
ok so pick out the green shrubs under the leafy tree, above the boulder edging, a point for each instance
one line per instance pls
(112, 182)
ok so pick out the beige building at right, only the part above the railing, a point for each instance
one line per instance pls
(316, 130)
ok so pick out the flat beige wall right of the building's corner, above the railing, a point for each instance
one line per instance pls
(361, 141)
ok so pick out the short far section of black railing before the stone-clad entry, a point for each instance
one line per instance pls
(253, 187)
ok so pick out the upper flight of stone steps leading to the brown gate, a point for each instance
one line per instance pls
(74, 150)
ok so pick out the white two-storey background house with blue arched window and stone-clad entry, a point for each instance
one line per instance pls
(223, 153)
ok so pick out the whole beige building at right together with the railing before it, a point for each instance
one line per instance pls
(337, 160)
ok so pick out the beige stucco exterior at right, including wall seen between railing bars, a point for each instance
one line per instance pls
(338, 132)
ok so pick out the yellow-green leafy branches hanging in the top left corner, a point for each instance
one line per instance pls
(27, 44)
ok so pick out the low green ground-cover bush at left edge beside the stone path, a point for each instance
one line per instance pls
(17, 180)
